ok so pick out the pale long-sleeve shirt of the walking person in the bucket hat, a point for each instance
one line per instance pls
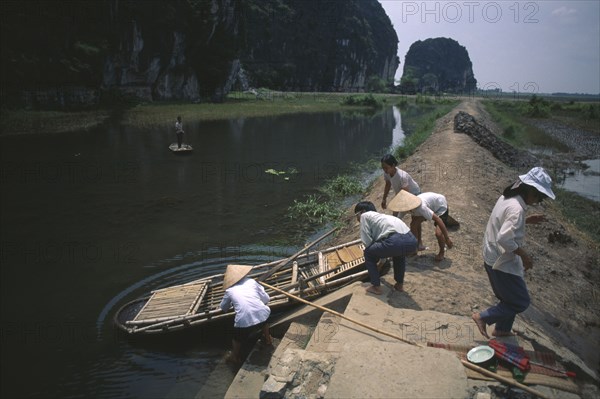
(505, 233)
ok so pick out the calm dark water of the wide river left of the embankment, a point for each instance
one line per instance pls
(91, 220)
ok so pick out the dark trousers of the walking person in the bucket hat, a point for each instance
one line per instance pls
(512, 292)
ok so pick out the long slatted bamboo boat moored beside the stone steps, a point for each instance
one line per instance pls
(310, 275)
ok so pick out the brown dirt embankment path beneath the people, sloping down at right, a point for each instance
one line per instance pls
(565, 273)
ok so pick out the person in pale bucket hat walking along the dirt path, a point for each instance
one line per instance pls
(505, 260)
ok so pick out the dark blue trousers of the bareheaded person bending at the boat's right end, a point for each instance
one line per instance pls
(396, 246)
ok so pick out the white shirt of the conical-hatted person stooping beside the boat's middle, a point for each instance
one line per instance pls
(249, 300)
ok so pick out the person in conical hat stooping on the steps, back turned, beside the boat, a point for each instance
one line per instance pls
(249, 301)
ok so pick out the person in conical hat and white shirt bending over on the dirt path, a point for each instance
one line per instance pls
(426, 206)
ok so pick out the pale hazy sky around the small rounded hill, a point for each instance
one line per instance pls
(530, 46)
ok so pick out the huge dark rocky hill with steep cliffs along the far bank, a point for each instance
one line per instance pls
(78, 54)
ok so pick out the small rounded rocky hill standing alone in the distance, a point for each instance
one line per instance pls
(437, 65)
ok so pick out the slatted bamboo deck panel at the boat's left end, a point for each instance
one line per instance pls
(171, 302)
